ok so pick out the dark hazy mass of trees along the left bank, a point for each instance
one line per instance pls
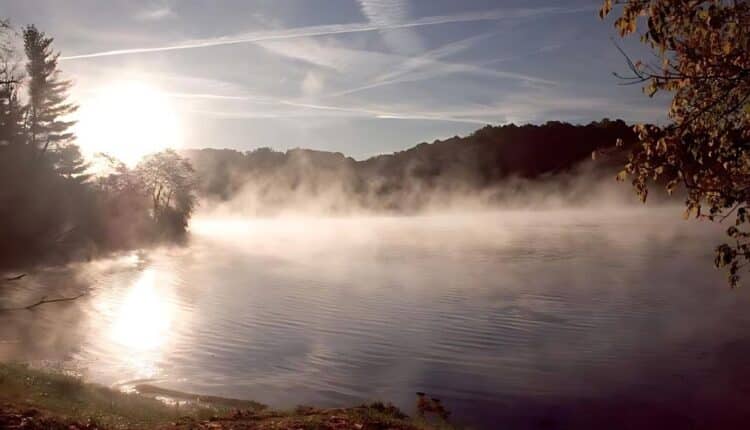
(52, 207)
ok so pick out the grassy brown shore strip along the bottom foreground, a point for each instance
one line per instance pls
(44, 399)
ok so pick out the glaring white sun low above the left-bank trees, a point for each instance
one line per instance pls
(128, 120)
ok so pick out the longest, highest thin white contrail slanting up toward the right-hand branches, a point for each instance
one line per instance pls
(325, 30)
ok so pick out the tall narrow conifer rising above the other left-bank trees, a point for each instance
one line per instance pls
(48, 99)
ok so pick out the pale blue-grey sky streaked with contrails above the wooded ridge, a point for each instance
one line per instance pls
(361, 77)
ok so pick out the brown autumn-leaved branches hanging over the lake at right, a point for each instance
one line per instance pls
(703, 52)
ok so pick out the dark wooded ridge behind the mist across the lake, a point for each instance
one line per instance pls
(409, 180)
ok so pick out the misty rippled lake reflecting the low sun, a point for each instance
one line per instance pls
(544, 319)
